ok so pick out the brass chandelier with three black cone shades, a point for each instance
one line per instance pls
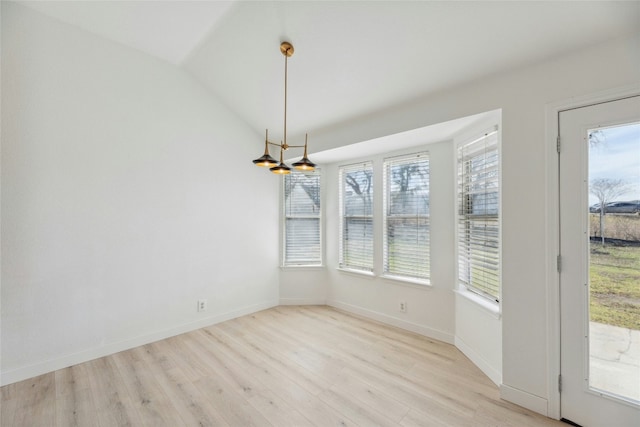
(266, 160)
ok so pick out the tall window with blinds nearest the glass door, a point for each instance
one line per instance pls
(478, 216)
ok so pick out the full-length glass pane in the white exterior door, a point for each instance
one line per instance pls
(614, 265)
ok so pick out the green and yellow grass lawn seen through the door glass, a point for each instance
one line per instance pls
(615, 285)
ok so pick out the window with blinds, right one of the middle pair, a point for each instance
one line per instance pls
(406, 219)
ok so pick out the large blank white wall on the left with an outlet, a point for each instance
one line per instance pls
(116, 173)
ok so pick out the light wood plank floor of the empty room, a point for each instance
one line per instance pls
(287, 366)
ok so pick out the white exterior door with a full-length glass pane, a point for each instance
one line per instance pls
(600, 279)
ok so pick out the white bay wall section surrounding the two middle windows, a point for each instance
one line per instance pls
(429, 308)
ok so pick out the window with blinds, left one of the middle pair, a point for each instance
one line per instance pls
(356, 217)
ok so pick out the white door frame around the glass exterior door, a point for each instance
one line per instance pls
(552, 219)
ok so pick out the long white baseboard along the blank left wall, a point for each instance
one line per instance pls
(46, 366)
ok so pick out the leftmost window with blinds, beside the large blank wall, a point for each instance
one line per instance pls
(302, 220)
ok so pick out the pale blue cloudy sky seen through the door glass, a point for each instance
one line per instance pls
(617, 157)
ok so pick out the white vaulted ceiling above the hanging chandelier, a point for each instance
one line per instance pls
(351, 58)
